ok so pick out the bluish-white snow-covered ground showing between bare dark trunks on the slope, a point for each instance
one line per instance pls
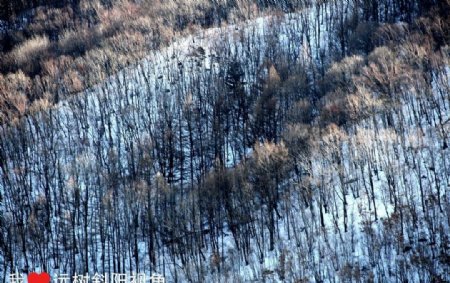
(121, 114)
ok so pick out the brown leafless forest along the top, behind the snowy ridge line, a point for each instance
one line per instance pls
(91, 40)
